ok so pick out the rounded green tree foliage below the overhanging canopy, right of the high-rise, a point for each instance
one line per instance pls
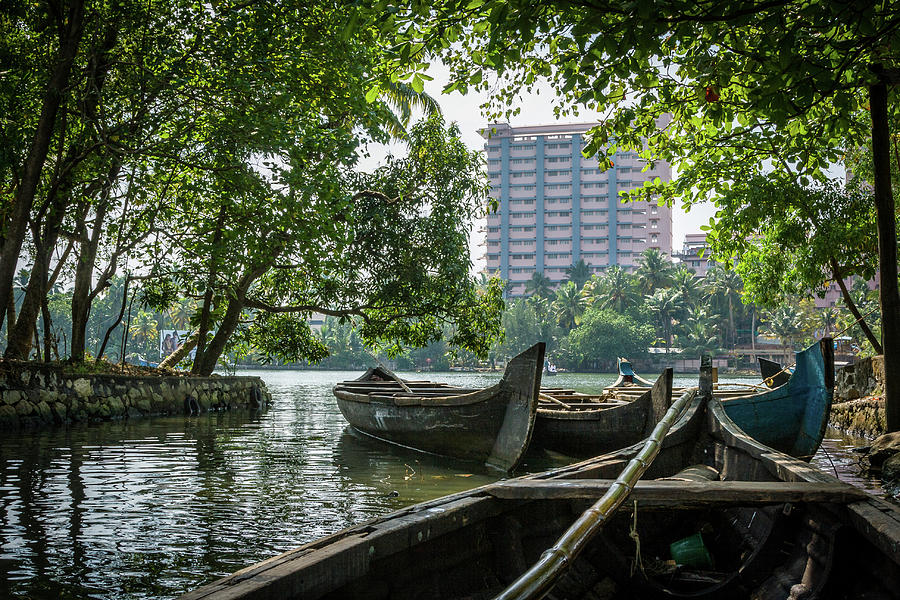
(787, 236)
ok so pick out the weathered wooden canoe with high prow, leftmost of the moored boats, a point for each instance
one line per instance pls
(492, 425)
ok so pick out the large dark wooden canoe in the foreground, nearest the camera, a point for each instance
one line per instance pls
(772, 527)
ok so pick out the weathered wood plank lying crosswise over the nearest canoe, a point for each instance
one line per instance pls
(672, 494)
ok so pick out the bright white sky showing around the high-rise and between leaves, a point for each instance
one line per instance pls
(536, 109)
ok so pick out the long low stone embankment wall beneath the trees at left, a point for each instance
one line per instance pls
(36, 395)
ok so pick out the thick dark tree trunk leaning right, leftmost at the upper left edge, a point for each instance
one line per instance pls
(37, 154)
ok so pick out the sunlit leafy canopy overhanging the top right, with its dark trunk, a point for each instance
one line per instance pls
(721, 90)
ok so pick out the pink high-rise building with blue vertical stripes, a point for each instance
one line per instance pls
(557, 207)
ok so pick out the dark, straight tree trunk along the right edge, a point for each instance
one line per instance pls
(887, 254)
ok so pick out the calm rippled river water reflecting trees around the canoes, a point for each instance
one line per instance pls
(153, 508)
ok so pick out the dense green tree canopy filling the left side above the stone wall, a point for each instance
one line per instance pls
(211, 152)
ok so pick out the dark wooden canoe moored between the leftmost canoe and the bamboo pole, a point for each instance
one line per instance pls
(583, 425)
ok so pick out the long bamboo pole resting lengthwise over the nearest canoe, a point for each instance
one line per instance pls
(539, 579)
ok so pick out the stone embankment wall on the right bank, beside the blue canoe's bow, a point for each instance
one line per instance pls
(859, 398)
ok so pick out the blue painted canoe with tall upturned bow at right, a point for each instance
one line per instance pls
(792, 417)
